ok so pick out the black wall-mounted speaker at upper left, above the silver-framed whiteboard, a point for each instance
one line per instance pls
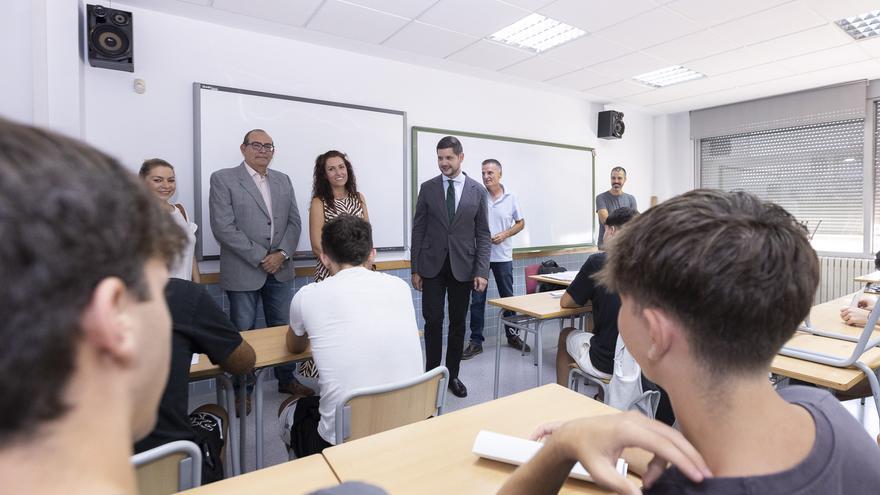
(110, 38)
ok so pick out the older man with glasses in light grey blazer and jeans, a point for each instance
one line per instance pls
(255, 219)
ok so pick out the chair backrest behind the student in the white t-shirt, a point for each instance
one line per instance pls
(370, 410)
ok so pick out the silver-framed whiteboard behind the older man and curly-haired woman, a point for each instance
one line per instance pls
(373, 138)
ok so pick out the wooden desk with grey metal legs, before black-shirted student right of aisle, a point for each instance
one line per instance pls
(540, 307)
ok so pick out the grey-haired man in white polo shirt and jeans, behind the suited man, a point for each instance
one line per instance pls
(505, 221)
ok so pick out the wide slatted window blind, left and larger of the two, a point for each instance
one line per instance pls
(813, 171)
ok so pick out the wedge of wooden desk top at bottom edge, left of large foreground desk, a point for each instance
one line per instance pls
(295, 477)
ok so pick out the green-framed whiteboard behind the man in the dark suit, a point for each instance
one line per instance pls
(553, 182)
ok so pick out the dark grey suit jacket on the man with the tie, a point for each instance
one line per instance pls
(466, 240)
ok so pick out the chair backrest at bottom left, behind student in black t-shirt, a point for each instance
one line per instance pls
(169, 468)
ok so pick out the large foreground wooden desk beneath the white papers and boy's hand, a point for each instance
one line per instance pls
(434, 456)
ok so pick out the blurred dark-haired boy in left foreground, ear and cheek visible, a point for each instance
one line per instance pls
(85, 329)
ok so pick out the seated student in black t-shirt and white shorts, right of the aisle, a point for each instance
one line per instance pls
(593, 352)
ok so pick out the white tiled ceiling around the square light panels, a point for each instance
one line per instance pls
(747, 48)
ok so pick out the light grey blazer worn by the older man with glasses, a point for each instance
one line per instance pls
(240, 222)
